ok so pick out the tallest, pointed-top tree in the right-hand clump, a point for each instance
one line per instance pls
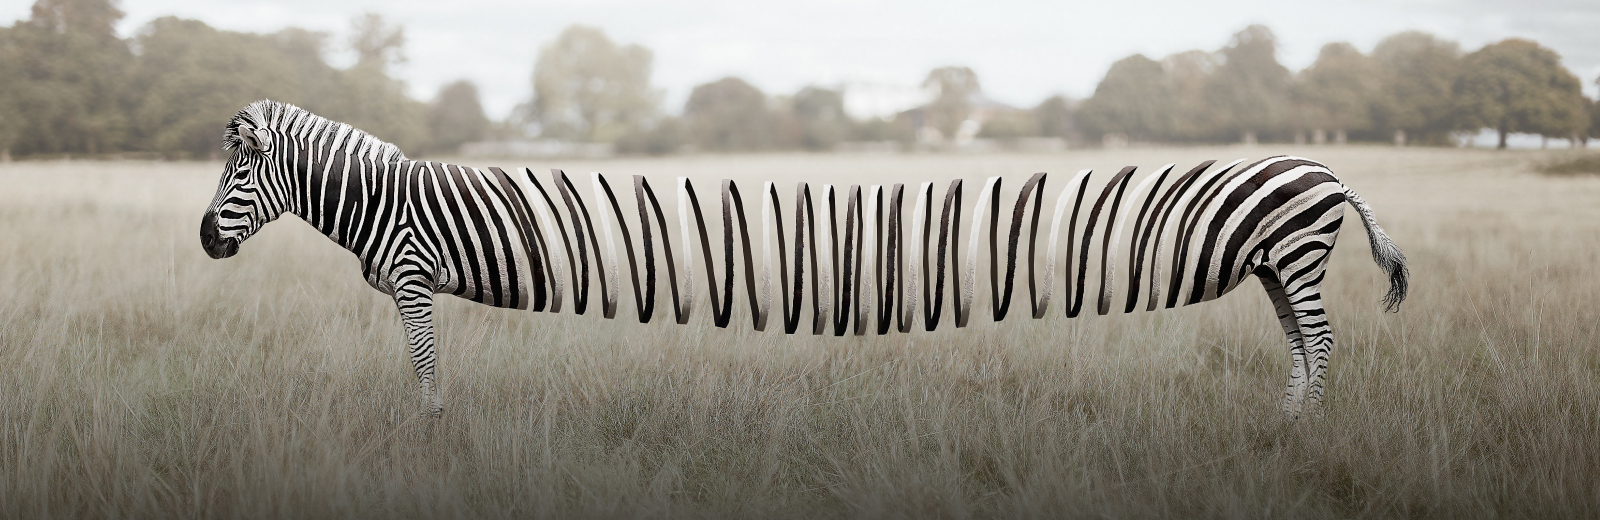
(1250, 87)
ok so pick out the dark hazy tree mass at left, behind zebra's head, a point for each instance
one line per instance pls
(70, 86)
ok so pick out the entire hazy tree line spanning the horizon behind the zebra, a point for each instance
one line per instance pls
(71, 86)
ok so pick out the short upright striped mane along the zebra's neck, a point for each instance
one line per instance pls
(303, 126)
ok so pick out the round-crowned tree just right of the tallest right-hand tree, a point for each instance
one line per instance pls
(1338, 90)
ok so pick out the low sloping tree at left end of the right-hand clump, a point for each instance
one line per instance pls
(1130, 100)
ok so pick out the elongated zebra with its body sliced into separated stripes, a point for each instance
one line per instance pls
(498, 239)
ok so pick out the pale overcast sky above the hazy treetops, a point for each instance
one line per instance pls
(1023, 52)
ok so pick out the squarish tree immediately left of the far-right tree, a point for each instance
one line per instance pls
(1418, 76)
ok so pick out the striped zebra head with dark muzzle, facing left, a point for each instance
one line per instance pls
(246, 194)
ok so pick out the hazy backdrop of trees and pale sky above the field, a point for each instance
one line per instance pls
(598, 79)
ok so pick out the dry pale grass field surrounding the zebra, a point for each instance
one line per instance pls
(142, 380)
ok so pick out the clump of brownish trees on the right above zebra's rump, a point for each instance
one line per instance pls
(1412, 89)
